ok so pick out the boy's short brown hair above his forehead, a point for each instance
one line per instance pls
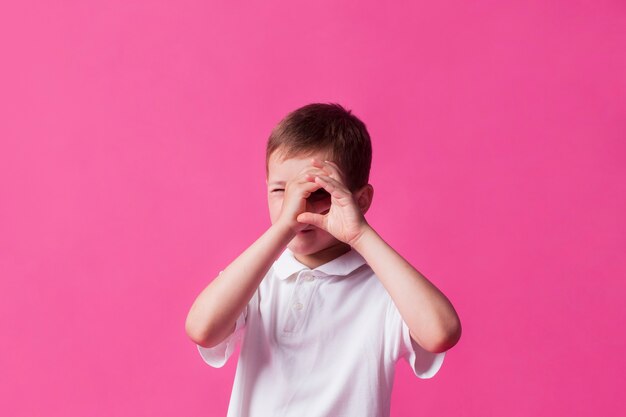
(325, 127)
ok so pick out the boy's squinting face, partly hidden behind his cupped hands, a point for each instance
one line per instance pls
(310, 242)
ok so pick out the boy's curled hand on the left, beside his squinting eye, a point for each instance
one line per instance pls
(295, 196)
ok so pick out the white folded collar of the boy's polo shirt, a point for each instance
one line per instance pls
(286, 265)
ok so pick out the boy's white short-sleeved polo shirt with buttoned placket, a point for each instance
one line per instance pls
(319, 342)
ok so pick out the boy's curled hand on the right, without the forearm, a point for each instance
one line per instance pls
(344, 220)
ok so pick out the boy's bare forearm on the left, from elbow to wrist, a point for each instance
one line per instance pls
(213, 314)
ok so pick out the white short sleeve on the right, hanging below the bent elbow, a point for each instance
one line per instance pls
(424, 364)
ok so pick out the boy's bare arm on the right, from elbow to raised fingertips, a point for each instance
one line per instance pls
(432, 321)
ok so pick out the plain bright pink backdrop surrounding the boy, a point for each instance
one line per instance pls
(132, 170)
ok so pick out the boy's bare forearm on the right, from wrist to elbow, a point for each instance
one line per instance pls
(429, 315)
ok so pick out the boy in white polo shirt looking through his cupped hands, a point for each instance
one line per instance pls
(327, 307)
